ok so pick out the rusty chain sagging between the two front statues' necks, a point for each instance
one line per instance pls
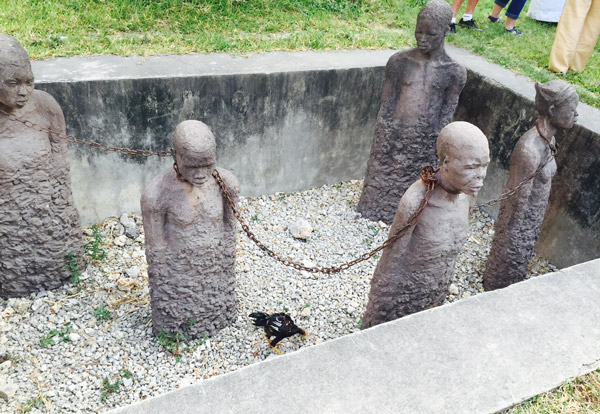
(427, 175)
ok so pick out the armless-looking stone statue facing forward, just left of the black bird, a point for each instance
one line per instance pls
(190, 239)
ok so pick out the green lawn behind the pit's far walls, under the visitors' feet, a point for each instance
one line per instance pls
(53, 28)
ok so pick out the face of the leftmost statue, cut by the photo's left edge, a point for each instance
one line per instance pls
(16, 86)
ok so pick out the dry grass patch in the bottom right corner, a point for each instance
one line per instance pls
(581, 395)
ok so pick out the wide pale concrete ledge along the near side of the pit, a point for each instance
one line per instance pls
(478, 355)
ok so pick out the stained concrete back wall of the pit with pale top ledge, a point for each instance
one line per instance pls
(283, 121)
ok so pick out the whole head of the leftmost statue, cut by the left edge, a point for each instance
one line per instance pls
(16, 77)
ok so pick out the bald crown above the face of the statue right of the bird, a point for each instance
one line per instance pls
(457, 137)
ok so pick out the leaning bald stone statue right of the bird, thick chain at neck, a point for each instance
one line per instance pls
(415, 271)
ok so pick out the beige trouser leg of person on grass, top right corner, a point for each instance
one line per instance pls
(568, 32)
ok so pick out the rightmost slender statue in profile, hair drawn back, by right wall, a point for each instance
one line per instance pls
(520, 216)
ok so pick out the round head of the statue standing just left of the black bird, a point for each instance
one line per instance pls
(195, 152)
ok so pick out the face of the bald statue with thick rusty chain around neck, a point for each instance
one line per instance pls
(466, 170)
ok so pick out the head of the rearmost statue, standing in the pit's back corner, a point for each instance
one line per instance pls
(433, 24)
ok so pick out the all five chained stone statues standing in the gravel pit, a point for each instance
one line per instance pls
(190, 228)
